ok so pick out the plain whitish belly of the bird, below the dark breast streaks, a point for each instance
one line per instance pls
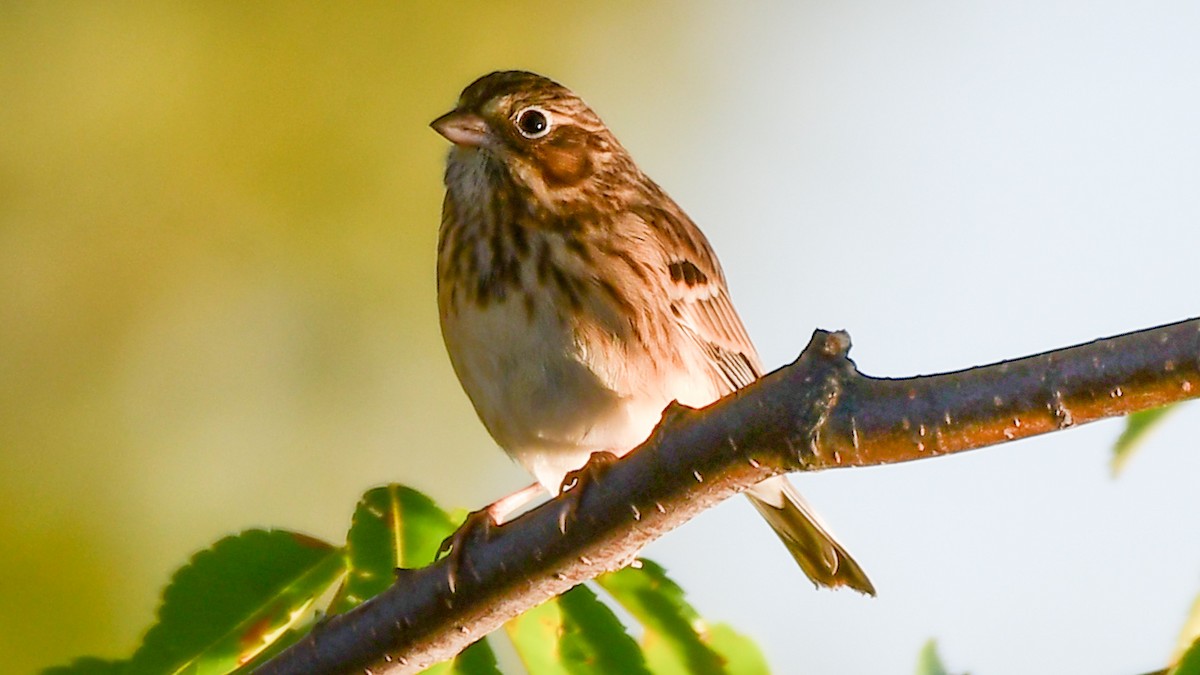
(539, 392)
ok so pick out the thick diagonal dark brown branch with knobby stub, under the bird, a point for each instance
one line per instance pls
(817, 414)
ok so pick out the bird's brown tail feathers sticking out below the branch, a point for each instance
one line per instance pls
(813, 547)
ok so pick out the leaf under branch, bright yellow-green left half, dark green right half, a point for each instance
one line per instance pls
(574, 634)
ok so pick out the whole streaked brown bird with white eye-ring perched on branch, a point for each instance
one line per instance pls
(578, 300)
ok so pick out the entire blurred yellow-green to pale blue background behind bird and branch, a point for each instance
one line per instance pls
(218, 230)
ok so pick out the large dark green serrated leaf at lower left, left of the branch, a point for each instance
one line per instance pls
(233, 600)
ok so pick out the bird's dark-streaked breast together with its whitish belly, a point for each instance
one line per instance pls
(560, 356)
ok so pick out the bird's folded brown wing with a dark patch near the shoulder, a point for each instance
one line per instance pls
(700, 301)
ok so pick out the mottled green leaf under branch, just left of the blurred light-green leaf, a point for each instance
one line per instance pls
(676, 640)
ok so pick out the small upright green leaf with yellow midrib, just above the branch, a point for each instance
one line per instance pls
(393, 527)
